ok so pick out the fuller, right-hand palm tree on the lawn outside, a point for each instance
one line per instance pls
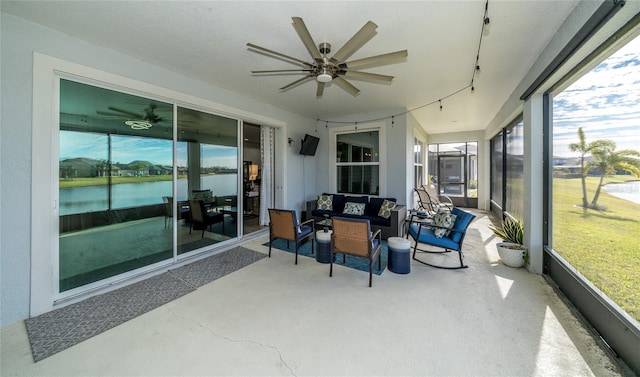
(608, 161)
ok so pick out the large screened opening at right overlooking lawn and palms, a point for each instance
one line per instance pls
(595, 199)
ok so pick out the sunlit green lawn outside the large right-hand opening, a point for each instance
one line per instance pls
(603, 246)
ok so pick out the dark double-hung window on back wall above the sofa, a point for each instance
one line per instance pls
(358, 162)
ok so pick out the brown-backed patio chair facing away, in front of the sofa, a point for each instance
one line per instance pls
(354, 237)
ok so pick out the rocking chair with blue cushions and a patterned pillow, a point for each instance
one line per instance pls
(424, 233)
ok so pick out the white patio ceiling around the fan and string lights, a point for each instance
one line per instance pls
(207, 40)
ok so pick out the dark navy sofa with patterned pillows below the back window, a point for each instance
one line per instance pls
(391, 227)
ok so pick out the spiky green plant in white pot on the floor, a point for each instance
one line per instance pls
(512, 251)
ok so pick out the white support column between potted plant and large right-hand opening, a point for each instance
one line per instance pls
(533, 181)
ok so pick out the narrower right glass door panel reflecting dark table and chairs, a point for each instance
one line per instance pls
(207, 186)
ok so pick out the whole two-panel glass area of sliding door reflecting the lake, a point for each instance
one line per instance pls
(124, 200)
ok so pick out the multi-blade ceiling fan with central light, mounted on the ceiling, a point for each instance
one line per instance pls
(332, 69)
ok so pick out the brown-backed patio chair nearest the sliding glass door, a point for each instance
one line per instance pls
(283, 224)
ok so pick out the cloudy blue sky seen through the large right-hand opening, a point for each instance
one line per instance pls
(605, 103)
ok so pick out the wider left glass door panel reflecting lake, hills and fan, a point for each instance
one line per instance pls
(115, 166)
